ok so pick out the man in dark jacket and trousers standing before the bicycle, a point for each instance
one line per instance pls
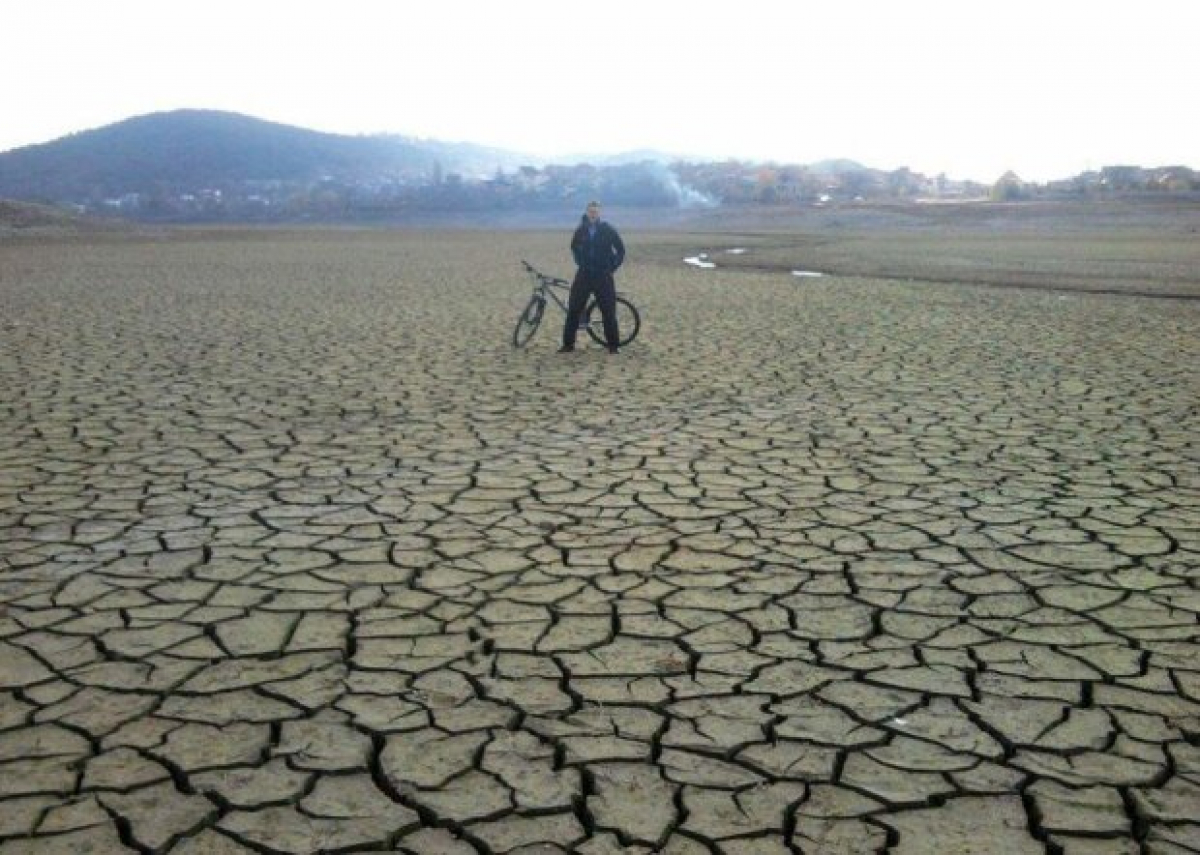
(598, 253)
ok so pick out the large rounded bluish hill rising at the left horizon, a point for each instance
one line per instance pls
(188, 151)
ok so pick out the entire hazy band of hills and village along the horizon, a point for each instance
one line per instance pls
(211, 166)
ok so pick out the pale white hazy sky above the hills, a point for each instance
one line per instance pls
(970, 88)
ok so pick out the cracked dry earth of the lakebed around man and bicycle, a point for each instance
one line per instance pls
(301, 555)
